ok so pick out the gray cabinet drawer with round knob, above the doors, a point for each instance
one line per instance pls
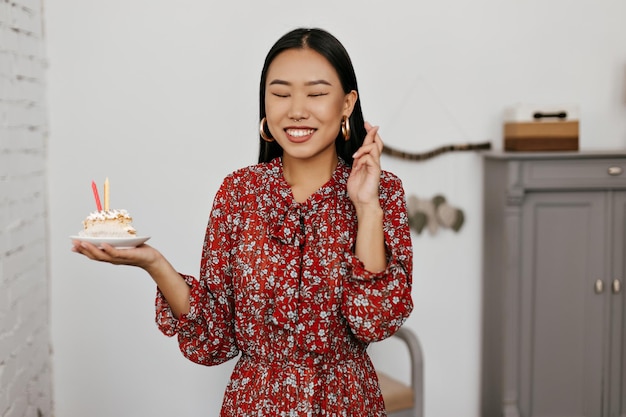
(574, 174)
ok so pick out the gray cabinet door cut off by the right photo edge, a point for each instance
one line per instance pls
(617, 363)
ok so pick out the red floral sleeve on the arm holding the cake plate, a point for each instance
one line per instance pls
(206, 334)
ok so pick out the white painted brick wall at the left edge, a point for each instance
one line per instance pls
(25, 381)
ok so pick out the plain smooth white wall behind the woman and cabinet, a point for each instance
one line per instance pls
(161, 97)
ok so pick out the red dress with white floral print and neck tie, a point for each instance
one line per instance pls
(280, 285)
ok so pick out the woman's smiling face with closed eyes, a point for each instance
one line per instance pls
(304, 103)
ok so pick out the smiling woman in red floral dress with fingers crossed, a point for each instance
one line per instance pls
(307, 256)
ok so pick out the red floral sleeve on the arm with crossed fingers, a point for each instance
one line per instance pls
(377, 304)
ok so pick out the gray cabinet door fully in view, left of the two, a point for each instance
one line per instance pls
(564, 240)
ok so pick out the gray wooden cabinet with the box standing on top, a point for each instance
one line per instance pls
(553, 341)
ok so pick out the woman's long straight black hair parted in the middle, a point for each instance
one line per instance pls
(330, 48)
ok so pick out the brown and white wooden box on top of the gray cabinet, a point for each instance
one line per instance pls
(528, 128)
